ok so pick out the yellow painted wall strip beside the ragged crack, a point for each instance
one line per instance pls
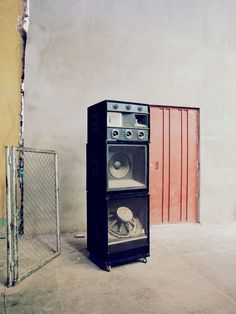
(11, 52)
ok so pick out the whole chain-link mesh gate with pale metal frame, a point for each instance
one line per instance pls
(33, 221)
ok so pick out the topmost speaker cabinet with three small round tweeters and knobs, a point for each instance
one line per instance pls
(115, 121)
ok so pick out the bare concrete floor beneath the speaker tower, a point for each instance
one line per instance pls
(192, 269)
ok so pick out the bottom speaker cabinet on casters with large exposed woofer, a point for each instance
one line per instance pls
(118, 229)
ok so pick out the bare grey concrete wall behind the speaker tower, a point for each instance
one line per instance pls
(162, 52)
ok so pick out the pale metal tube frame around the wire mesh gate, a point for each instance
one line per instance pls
(13, 275)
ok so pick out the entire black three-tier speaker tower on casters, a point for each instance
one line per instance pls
(118, 182)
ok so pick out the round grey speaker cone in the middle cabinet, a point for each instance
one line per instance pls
(119, 165)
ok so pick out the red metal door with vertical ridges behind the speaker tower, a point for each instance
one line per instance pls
(174, 165)
